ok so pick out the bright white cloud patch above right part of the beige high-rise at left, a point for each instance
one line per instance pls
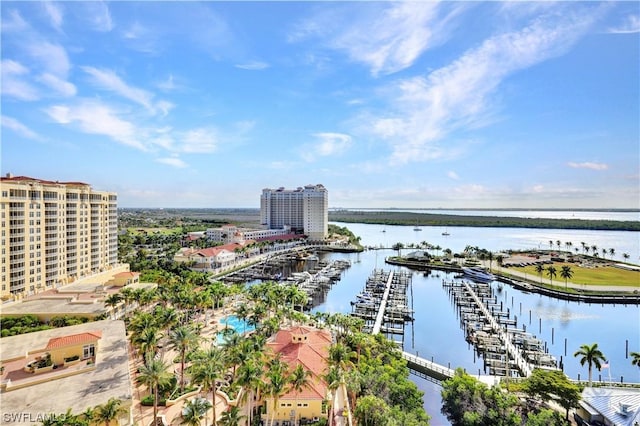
(99, 119)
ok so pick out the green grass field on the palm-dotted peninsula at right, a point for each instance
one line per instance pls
(601, 275)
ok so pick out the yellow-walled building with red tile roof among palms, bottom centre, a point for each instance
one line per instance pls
(308, 347)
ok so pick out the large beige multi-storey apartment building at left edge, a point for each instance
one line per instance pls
(53, 233)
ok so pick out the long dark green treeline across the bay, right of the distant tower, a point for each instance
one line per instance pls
(429, 219)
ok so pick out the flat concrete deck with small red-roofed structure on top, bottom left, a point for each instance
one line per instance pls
(48, 372)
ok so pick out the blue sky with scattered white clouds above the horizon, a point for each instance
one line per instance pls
(414, 105)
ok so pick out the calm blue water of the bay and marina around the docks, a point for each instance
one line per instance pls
(436, 331)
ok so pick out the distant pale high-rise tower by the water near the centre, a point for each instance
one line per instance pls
(304, 210)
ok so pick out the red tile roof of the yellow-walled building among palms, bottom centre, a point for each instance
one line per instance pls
(311, 353)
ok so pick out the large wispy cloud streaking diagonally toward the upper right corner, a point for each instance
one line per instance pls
(426, 109)
